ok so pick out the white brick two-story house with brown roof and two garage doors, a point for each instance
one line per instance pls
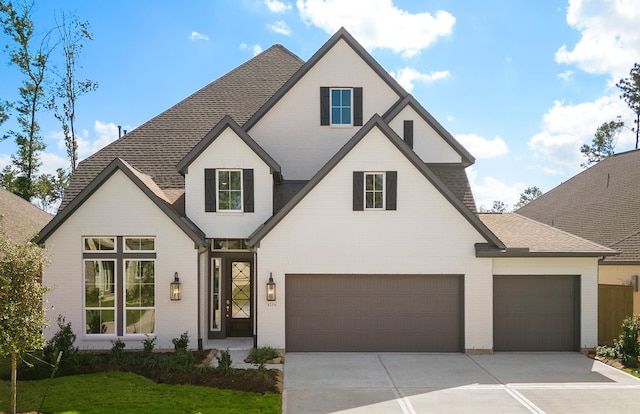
(313, 206)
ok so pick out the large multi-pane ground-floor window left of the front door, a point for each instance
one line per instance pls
(119, 285)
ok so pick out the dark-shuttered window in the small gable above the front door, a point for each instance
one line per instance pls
(228, 190)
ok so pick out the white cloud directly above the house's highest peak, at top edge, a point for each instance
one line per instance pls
(378, 23)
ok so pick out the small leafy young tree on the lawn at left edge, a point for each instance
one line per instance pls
(22, 313)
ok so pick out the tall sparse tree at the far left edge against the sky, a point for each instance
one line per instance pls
(31, 56)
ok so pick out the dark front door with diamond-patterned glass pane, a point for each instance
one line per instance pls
(238, 301)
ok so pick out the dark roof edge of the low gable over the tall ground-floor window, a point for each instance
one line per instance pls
(144, 183)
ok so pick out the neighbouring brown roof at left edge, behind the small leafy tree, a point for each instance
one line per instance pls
(20, 220)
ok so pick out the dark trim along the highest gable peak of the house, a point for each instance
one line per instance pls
(341, 34)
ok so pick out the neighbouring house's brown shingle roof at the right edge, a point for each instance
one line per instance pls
(601, 204)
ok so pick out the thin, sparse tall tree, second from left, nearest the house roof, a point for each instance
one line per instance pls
(67, 89)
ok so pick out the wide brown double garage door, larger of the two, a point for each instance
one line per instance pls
(374, 313)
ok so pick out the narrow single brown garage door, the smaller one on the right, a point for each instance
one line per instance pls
(536, 313)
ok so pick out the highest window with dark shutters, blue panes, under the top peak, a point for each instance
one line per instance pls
(340, 106)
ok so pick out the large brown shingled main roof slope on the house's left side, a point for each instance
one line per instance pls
(157, 146)
